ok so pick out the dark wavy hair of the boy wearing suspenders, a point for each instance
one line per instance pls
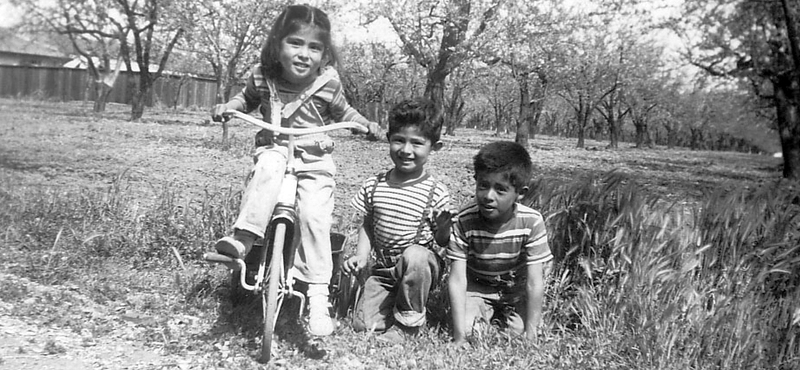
(418, 112)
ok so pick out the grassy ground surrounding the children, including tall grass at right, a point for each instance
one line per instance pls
(667, 259)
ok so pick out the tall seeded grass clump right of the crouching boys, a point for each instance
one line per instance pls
(708, 286)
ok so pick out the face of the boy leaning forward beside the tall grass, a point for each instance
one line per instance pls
(495, 196)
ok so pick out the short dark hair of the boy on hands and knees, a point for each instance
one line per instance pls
(508, 158)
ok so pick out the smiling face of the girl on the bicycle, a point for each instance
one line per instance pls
(301, 55)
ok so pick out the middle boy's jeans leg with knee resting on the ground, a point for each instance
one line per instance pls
(374, 309)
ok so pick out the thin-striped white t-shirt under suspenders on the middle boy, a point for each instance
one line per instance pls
(399, 210)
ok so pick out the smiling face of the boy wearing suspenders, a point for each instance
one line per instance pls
(409, 150)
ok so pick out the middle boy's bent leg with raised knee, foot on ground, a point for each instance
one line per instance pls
(418, 270)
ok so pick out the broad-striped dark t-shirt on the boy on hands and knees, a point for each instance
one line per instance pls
(497, 255)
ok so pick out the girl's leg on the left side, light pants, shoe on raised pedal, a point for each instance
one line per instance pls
(258, 200)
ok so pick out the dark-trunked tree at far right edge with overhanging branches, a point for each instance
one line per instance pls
(756, 40)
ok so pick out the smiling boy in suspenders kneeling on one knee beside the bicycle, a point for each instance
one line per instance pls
(406, 223)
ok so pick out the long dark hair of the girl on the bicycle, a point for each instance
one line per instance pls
(291, 20)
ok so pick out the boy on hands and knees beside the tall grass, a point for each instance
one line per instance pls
(498, 248)
